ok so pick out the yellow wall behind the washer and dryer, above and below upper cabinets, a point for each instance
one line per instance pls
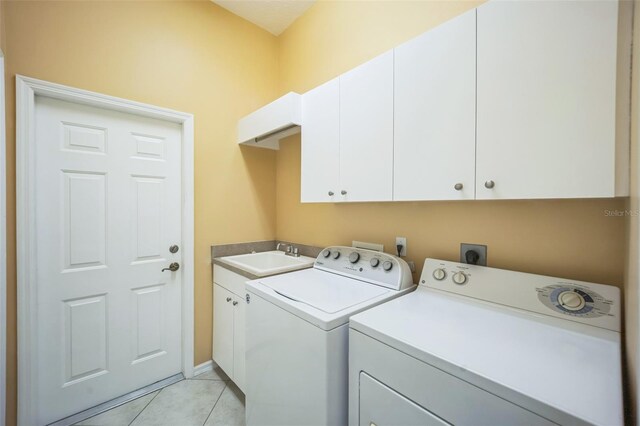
(570, 238)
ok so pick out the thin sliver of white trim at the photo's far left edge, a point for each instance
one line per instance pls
(3, 249)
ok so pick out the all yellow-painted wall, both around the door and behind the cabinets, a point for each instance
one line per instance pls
(196, 57)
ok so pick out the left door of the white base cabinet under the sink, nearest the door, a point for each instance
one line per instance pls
(223, 329)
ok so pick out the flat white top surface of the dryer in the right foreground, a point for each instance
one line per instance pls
(560, 369)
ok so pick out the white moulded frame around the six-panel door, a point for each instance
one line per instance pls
(26, 91)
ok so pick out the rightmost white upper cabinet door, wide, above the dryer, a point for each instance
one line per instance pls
(546, 99)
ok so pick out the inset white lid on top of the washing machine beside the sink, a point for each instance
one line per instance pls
(324, 291)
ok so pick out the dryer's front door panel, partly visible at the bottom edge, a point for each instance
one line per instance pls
(382, 406)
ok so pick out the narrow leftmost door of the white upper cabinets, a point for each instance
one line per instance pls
(321, 144)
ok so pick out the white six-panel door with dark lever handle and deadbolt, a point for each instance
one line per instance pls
(108, 196)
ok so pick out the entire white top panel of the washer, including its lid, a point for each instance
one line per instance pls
(322, 298)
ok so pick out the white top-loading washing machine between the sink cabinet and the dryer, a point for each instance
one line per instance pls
(297, 334)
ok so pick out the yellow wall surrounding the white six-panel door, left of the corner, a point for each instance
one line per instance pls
(188, 56)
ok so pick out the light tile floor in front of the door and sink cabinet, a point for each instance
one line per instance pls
(209, 399)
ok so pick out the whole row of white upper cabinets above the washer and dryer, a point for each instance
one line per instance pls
(512, 100)
